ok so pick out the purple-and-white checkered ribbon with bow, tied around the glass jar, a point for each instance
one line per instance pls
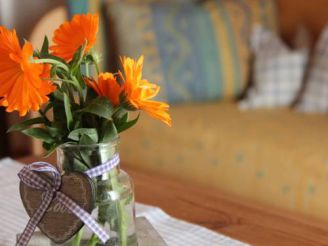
(28, 175)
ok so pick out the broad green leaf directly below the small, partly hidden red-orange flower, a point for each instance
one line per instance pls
(101, 107)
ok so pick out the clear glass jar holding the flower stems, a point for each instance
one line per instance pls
(114, 208)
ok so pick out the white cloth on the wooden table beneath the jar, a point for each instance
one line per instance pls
(13, 217)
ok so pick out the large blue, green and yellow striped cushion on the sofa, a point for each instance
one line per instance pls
(196, 52)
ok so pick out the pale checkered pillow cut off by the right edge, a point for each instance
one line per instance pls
(315, 96)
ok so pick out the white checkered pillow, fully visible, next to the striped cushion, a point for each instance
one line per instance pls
(278, 70)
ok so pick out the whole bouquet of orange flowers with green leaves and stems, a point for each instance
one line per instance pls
(77, 103)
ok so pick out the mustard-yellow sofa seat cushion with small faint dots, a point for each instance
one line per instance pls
(278, 157)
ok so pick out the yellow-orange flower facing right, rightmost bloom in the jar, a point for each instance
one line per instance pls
(139, 91)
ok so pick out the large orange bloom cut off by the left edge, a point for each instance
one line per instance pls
(21, 87)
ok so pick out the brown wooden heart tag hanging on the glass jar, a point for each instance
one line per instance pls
(58, 223)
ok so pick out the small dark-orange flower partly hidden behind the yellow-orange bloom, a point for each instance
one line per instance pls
(106, 86)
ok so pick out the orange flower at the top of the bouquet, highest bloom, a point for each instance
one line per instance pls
(71, 35)
